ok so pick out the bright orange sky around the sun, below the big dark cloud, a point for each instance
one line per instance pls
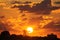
(17, 23)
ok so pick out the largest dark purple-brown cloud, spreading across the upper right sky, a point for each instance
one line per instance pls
(40, 8)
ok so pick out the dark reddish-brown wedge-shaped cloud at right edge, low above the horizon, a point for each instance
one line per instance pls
(53, 26)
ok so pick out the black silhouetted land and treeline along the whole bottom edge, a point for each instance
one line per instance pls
(5, 35)
